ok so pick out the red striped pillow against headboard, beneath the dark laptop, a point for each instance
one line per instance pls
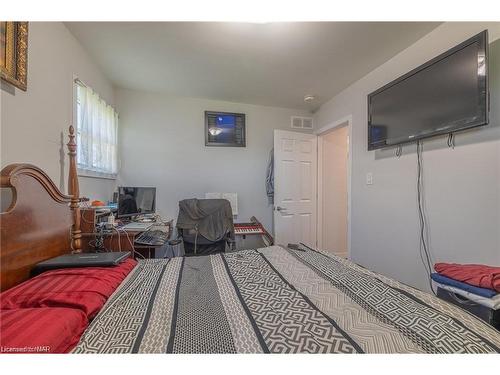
(85, 288)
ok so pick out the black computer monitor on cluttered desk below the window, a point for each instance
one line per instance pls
(133, 201)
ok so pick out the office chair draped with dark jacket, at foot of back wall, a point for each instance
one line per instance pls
(205, 226)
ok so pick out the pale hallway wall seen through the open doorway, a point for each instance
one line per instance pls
(334, 190)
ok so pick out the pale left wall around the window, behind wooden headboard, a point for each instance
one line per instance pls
(34, 124)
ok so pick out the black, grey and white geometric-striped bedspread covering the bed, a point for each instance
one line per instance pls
(276, 300)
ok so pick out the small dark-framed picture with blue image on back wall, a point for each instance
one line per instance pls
(225, 129)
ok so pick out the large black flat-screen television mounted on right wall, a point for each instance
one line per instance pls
(445, 95)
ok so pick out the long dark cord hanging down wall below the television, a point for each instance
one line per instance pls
(426, 256)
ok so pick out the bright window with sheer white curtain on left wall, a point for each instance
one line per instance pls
(97, 134)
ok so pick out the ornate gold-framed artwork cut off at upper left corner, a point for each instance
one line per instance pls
(14, 53)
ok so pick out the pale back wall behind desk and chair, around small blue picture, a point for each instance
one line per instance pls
(163, 145)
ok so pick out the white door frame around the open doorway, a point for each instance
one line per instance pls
(344, 121)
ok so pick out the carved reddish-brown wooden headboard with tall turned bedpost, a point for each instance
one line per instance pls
(41, 222)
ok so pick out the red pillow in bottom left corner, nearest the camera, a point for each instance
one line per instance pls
(42, 330)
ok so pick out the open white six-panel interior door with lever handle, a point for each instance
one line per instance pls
(295, 180)
